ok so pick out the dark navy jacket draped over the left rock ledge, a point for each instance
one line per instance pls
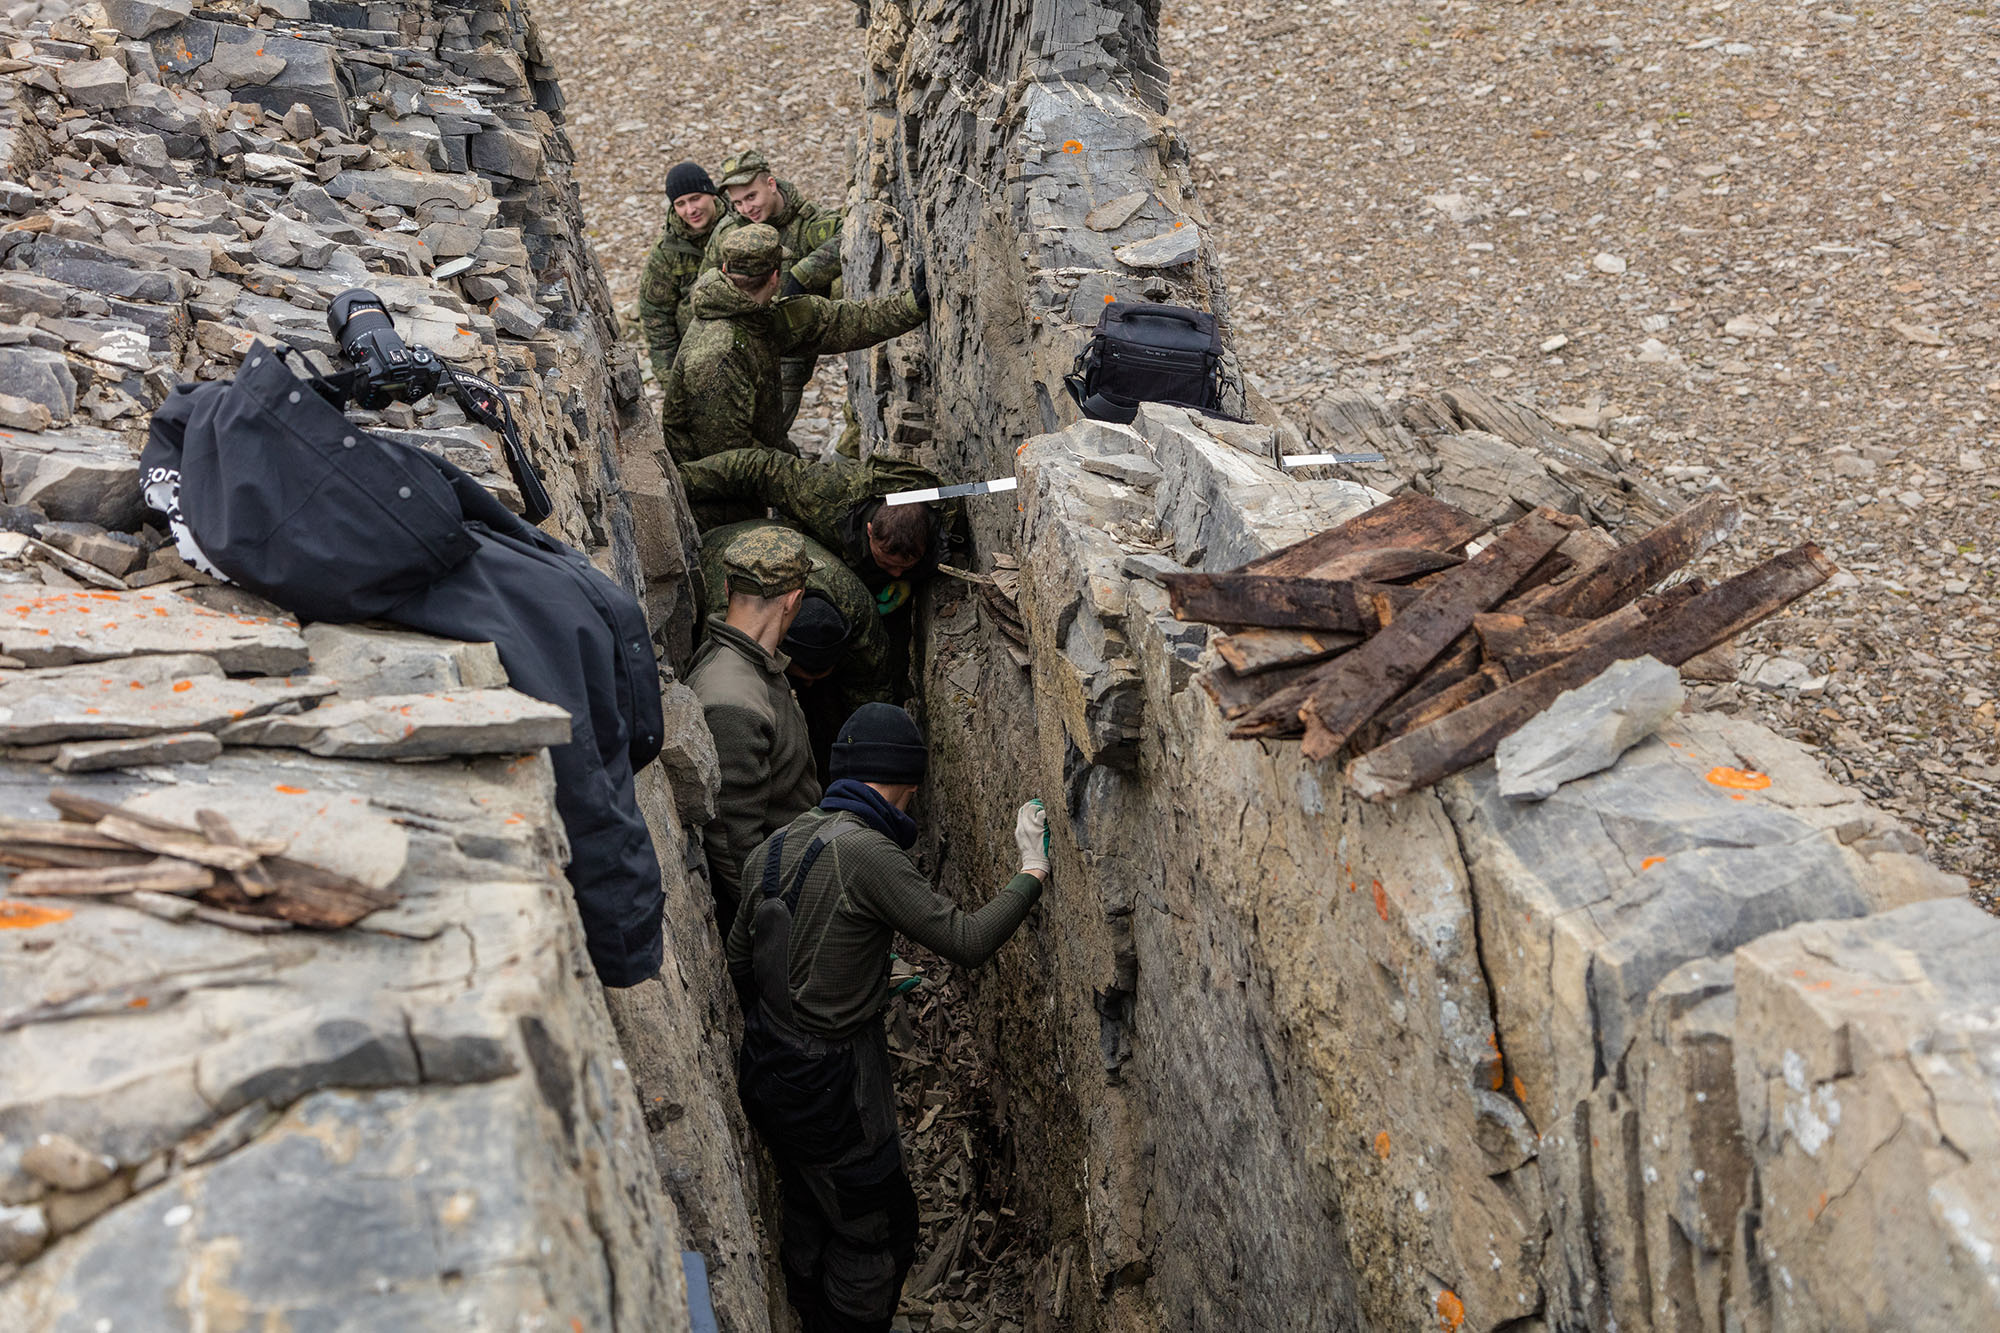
(297, 503)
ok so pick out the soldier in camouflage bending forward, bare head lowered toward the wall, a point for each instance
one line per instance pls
(839, 503)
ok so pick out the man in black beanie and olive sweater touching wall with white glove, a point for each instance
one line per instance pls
(823, 902)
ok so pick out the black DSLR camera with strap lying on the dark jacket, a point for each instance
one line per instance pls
(387, 369)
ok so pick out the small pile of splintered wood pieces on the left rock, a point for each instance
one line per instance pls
(105, 852)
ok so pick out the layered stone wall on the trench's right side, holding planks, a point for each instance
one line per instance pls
(1651, 1054)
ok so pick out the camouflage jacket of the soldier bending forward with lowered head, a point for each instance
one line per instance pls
(831, 501)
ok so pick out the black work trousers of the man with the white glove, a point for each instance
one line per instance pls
(849, 1208)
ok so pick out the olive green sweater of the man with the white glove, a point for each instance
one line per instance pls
(857, 898)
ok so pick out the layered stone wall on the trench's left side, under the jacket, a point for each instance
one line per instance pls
(437, 1118)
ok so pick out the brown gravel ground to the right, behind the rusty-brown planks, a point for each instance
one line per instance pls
(1759, 241)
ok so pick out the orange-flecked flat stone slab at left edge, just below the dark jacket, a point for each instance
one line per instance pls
(139, 698)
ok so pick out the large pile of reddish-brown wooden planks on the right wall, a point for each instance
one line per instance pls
(1383, 637)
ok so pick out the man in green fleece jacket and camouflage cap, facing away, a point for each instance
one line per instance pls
(761, 736)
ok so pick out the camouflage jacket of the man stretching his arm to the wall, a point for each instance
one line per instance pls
(725, 389)
